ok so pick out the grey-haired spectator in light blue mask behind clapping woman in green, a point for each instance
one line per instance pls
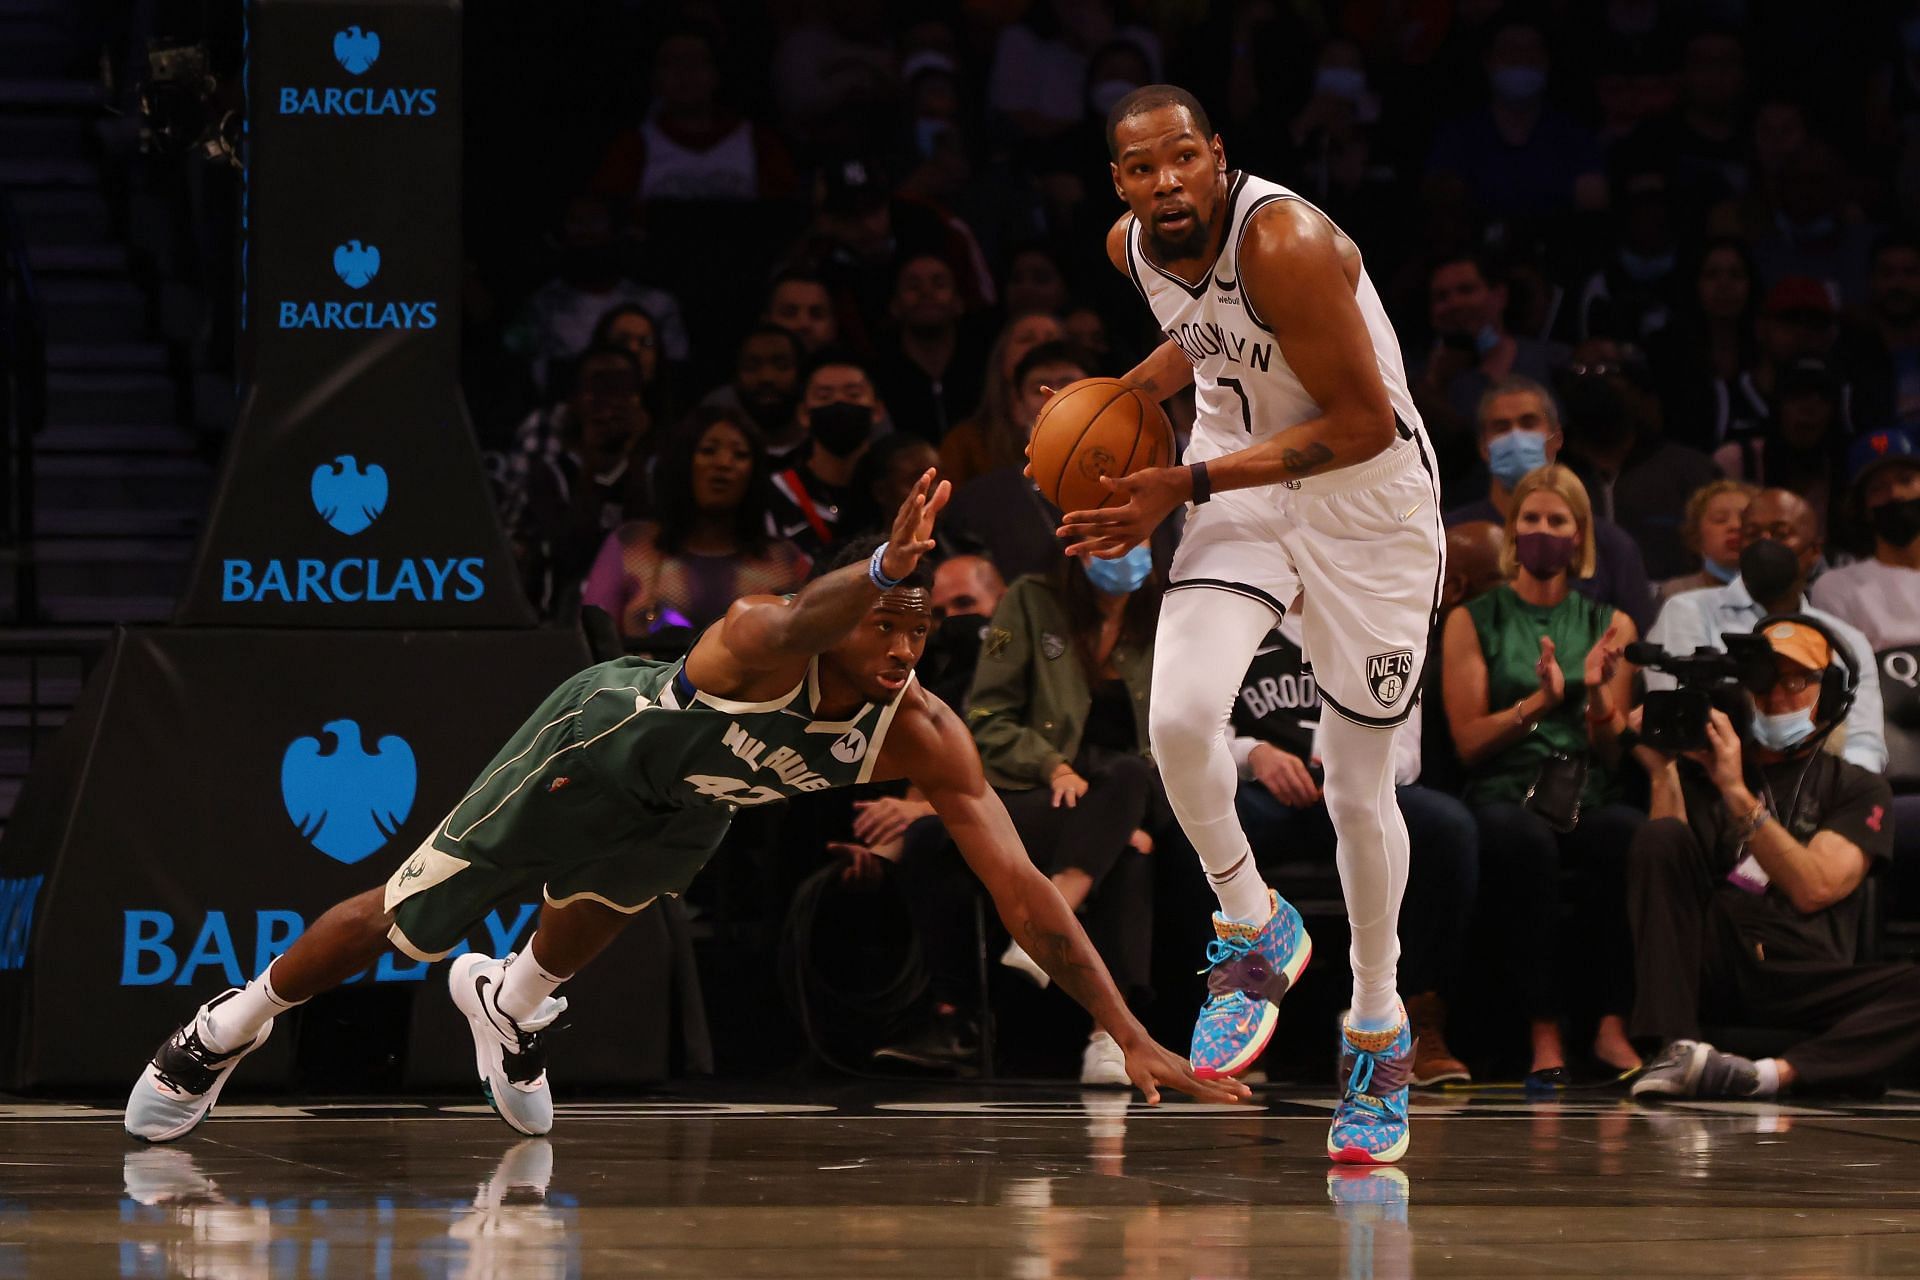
(1520, 433)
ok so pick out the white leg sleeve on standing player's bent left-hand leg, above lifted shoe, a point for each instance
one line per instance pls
(1201, 655)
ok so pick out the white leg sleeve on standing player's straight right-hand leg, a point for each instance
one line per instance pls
(1374, 857)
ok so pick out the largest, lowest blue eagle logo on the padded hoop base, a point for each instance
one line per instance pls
(348, 803)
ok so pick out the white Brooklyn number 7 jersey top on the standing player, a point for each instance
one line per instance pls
(1243, 385)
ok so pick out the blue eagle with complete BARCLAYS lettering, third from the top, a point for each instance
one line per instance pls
(350, 498)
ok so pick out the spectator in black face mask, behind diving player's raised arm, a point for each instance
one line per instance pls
(817, 502)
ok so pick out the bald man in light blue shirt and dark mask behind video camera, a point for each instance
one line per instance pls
(1779, 548)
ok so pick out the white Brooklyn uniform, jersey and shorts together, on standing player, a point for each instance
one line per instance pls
(1356, 552)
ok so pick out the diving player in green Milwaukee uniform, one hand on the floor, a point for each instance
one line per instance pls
(621, 788)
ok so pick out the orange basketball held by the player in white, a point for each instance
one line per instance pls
(1097, 427)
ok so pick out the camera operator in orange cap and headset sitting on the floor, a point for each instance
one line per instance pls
(1744, 893)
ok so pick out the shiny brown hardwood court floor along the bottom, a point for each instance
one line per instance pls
(963, 1183)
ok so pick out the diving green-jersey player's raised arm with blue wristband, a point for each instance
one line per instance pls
(763, 630)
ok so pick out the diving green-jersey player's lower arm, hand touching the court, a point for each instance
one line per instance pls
(934, 751)
